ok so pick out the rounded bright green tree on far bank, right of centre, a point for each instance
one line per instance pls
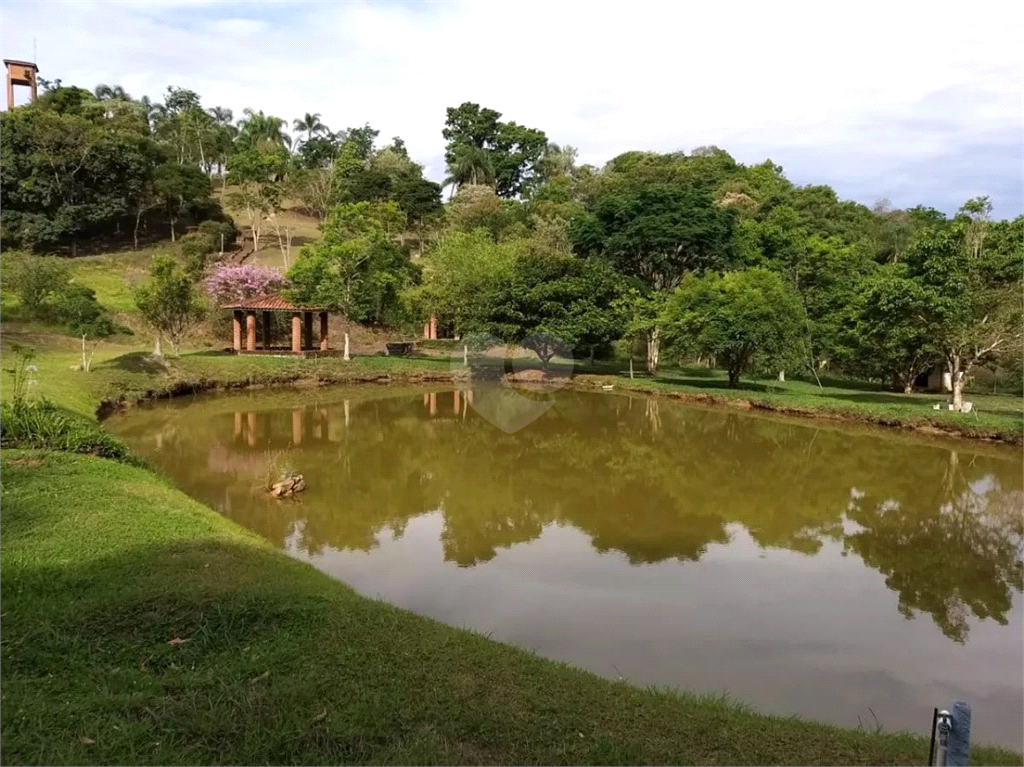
(746, 320)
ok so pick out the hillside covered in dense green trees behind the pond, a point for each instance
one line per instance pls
(693, 255)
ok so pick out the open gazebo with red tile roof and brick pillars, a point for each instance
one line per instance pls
(303, 326)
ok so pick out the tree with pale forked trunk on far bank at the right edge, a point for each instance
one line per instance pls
(973, 306)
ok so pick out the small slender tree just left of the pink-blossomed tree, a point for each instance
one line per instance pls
(168, 303)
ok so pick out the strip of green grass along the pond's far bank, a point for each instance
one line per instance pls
(119, 375)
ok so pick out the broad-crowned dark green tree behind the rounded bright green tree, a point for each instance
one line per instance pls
(658, 234)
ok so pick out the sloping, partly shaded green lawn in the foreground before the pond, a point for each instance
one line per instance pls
(141, 627)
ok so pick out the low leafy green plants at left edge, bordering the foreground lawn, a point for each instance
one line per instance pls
(45, 427)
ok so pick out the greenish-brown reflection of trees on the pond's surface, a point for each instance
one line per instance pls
(653, 480)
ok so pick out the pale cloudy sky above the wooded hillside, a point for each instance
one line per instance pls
(914, 103)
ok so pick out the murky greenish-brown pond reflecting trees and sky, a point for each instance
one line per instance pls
(851, 576)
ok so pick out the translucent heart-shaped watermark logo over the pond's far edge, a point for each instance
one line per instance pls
(519, 391)
